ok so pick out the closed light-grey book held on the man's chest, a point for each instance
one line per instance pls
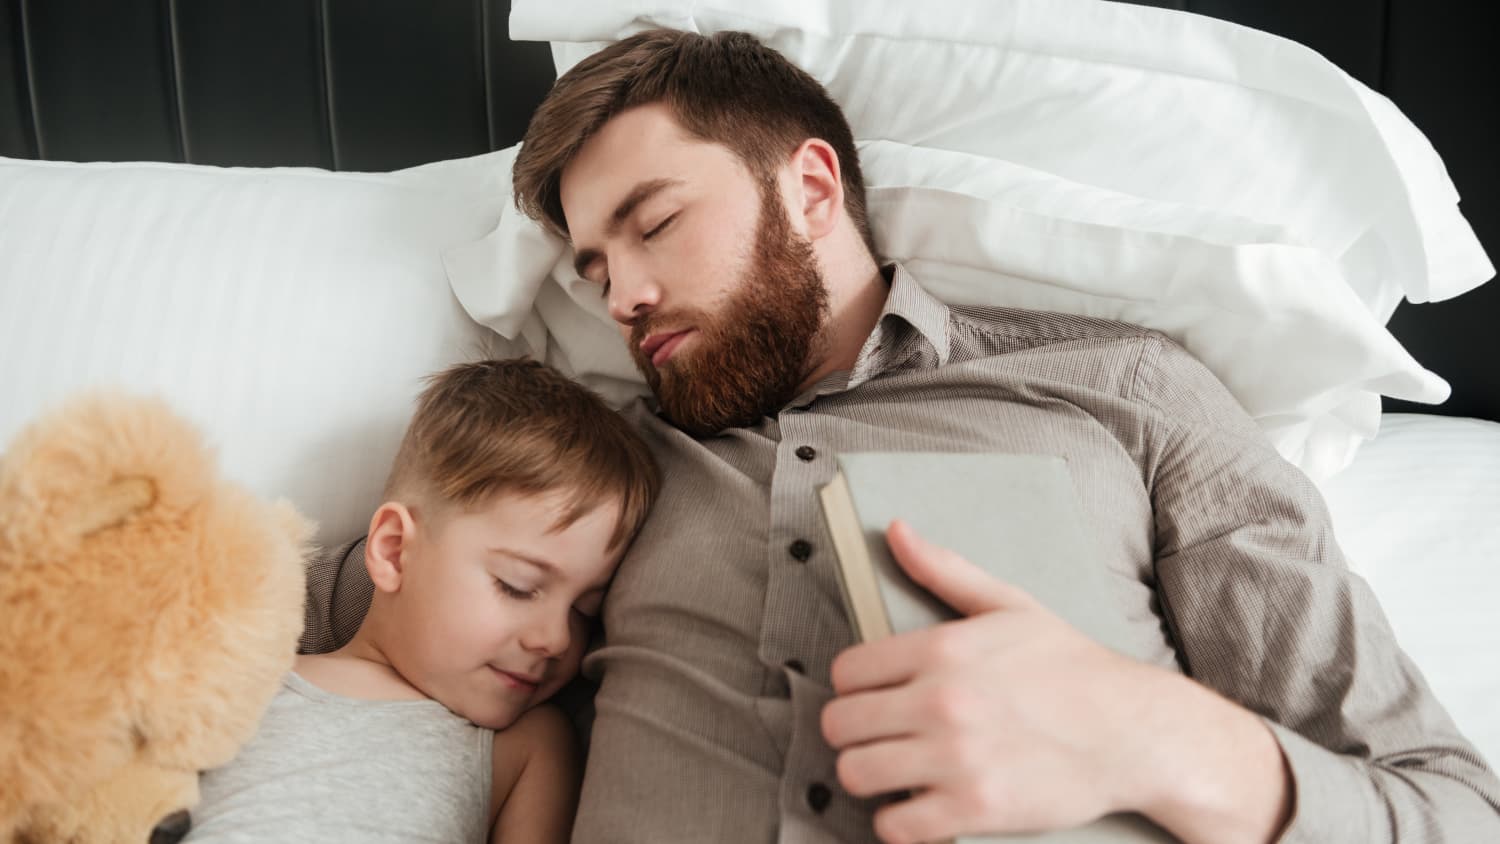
(1015, 515)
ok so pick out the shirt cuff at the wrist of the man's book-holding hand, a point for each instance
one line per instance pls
(1334, 798)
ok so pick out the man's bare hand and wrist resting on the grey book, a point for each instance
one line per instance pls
(1010, 720)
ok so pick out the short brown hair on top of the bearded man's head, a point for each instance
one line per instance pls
(728, 89)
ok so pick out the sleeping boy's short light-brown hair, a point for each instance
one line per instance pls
(521, 428)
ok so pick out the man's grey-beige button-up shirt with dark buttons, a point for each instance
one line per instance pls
(727, 614)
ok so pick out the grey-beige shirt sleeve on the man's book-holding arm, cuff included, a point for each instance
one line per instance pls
(1265, 611)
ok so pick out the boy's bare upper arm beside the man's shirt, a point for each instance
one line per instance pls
(536, 779)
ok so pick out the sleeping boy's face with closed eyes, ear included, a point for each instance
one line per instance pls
(494, 608)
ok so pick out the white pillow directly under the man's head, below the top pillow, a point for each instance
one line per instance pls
(1271, 319)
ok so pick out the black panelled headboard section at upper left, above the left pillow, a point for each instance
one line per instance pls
(346, 85)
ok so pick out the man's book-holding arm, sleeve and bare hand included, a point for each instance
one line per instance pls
(1300, 701)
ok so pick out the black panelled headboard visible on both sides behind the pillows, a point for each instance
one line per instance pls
(380, 85)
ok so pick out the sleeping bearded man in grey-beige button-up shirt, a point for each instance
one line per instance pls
(713, 194)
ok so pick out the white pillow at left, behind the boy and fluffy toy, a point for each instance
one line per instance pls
(290, 313)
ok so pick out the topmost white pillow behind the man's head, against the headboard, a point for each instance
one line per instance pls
(1153, 103)
